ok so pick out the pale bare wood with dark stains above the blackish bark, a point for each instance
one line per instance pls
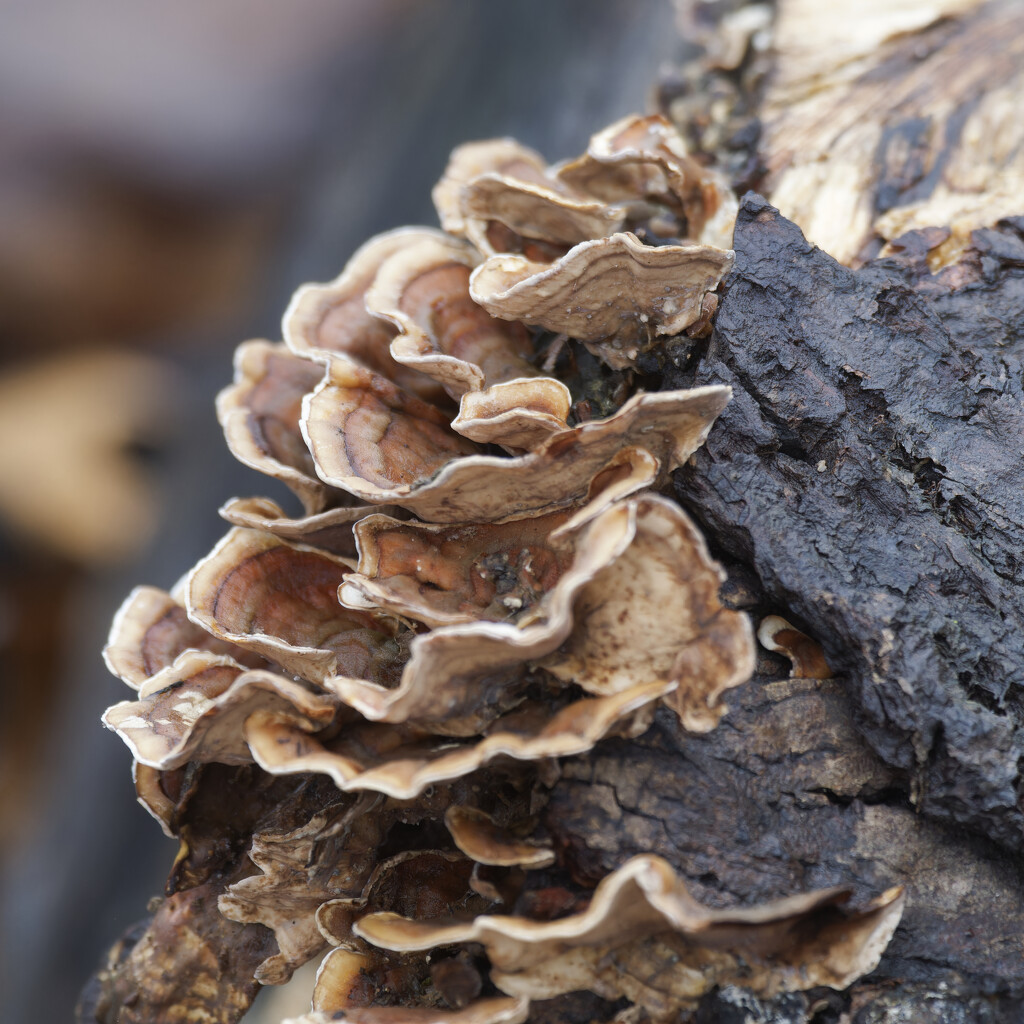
(884, 117)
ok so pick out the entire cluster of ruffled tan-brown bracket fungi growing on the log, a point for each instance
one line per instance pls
(351, 718)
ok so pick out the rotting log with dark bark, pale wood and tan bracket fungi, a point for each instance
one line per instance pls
(487, 727)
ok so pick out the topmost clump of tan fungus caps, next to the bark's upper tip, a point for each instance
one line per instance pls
(567, 260)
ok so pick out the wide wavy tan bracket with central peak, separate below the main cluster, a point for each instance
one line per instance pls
(645, 937)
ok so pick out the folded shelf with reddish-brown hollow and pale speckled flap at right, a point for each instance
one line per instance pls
(628, 599)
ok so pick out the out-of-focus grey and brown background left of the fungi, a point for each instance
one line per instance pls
(169, 174)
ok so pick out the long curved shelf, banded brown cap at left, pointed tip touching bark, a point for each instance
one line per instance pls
(382, 446)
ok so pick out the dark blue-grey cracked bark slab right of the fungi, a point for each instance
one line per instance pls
(870, 468)
